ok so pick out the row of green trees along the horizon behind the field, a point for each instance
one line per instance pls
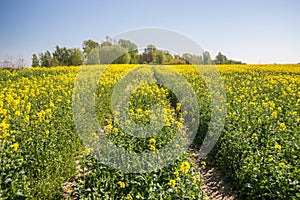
(120, 52)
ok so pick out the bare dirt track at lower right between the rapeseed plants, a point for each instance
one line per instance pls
(214, 184)
